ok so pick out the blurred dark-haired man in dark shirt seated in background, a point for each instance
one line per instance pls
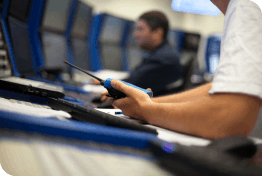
(161, 66)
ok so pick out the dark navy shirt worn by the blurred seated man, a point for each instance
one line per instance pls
(158, 69)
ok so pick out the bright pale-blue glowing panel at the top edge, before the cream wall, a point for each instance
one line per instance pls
(204, 7)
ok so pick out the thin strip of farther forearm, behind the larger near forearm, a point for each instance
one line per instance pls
(192, 94)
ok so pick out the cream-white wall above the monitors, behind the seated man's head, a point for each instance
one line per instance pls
(132, 9)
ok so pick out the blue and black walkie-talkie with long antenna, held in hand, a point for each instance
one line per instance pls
(113, 93)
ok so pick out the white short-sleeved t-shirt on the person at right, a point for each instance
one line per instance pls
(240, 65)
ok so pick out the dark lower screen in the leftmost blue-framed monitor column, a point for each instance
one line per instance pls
(21, 46)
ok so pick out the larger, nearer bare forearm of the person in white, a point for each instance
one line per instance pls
(210, 117)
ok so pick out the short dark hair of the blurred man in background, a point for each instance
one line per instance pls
(156, 19)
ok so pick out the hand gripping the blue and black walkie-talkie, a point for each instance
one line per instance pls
(135, 102)
